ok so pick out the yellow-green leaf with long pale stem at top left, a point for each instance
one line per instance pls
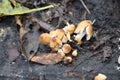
(6, 8)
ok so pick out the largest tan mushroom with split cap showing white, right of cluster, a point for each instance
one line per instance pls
(84, 28)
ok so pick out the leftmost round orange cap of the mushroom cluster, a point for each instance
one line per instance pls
(44, 38)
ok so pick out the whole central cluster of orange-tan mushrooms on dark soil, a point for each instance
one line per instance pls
(58, 39)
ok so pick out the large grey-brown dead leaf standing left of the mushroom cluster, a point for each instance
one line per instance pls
(30, 43)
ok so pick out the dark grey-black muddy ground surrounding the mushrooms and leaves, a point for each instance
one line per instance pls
(104, 44)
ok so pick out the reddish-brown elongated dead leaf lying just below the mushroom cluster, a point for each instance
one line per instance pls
(49, 58)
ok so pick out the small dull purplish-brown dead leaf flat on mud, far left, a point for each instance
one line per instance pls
(12, 54)
